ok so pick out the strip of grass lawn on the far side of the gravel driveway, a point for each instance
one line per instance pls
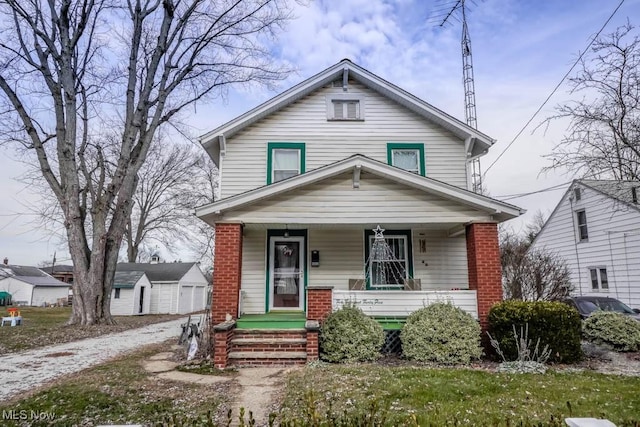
(43, 326)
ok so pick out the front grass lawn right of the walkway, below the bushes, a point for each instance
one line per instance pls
(440, 397)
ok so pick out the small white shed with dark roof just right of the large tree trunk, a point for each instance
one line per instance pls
(131, 293)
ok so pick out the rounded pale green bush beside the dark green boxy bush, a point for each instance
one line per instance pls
(441, 333)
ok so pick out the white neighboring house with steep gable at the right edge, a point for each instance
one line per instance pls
(596, 229)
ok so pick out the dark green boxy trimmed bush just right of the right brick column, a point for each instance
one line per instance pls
(555, 324)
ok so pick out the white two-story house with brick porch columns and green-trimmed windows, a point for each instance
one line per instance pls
(346, 188)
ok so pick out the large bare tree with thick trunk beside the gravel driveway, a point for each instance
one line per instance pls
(71, 71)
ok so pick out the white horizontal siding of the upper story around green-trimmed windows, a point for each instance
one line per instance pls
(330, 141)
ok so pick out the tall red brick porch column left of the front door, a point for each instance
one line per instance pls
(227, 269)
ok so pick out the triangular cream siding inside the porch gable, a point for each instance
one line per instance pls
(377, 200)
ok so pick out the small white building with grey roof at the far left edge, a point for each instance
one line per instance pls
(31, 286)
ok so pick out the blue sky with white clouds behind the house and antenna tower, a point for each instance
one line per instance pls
(521, 50)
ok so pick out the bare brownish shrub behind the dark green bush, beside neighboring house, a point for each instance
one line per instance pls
(531, 274)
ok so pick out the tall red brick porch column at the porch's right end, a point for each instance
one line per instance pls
(485, 271)
